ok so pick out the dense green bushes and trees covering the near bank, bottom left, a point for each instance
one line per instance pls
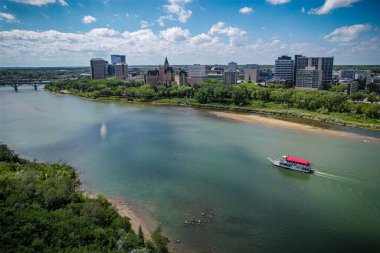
(41, 210)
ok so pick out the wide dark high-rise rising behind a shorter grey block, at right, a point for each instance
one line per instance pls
(320, 63)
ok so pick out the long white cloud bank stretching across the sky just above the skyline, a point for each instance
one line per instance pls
(143, 46)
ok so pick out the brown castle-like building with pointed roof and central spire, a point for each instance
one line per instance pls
(164, 74)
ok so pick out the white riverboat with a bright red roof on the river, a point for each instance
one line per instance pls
(292, 163)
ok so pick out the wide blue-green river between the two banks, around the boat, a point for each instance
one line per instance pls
(181, 162)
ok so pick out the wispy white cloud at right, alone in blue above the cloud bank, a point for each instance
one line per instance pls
(347, 33)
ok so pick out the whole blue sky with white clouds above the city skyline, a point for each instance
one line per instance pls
(70, 32)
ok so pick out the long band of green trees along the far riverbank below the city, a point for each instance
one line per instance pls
(214, 91)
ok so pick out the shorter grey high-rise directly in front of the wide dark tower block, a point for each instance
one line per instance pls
(309, 77)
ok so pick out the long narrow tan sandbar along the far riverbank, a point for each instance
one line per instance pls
(286, 124)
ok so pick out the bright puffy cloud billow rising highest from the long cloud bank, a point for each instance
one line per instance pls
(234, 34)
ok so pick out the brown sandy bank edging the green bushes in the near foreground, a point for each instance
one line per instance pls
(126, 209)
